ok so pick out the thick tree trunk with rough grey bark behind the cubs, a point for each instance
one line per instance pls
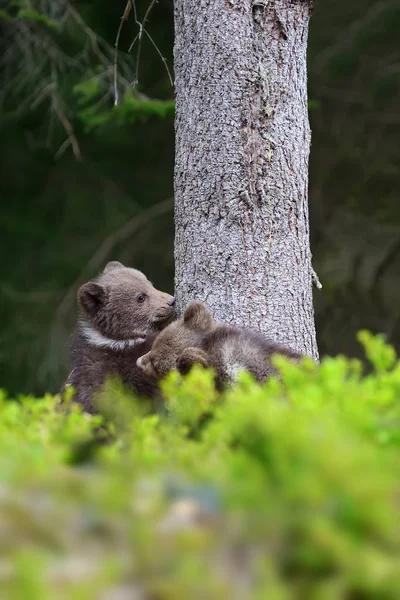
(241, 171)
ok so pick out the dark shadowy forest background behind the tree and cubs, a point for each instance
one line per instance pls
(82, 182)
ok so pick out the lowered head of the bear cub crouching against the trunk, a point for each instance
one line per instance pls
(176, 347)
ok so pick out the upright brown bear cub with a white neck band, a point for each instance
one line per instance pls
(121, 314)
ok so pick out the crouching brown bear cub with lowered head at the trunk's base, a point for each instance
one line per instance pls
(197, 338)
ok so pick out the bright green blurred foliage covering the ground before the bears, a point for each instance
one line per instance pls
(286, 490)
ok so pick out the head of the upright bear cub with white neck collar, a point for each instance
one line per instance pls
(122, 304)
